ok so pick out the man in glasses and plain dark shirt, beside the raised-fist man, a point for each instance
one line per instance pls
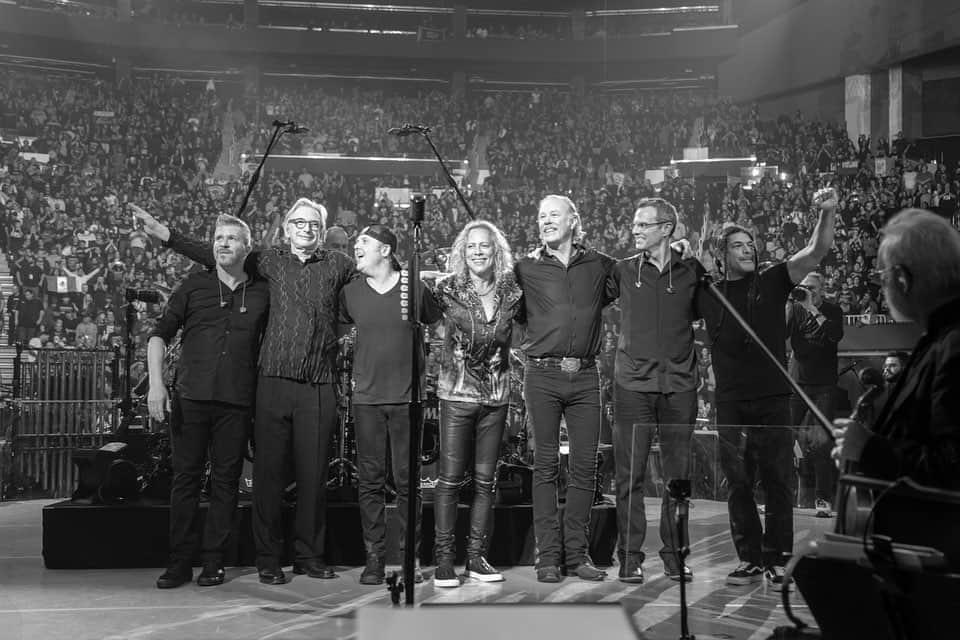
(656, 380)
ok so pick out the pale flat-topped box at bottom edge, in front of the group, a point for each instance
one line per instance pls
(497, 622)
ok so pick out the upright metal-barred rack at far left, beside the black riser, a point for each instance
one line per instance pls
(64, 400)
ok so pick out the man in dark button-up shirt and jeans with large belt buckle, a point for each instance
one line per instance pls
(565, 288)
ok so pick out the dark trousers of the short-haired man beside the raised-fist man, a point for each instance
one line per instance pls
(638, 416)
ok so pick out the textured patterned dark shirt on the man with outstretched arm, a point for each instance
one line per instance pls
(300, 342)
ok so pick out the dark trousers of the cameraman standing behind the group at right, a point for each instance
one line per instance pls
(817, 468)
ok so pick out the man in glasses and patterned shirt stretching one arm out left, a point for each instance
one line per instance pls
(296, 409)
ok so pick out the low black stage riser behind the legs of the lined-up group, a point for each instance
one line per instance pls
(77, 536)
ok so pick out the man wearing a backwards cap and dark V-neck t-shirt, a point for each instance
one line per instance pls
(377, 303)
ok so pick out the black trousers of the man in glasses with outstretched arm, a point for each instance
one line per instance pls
(294, 422)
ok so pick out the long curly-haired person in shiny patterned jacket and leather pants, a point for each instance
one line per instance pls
(479, 299)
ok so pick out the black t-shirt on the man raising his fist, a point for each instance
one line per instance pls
(743, 372)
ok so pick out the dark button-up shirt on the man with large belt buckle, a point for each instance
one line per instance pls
(562, 305)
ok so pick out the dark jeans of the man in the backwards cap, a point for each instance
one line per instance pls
(376, 426)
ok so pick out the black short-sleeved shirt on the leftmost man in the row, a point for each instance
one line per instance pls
(220, 343)
